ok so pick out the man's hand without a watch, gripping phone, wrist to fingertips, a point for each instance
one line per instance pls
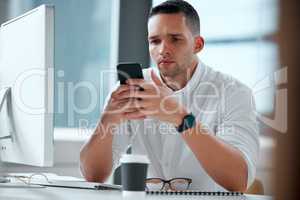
(116, 110)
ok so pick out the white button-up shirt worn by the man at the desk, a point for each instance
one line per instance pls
(224, 105)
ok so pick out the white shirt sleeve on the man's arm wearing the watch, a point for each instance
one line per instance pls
(239, 126)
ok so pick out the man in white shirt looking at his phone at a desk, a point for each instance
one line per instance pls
(189, 120)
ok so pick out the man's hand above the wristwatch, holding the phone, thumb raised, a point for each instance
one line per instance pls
(155, 100)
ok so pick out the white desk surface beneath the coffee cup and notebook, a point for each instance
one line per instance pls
(52, 193)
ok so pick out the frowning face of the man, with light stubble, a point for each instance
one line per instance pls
(171, 44)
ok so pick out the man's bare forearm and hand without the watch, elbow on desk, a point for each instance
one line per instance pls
(100, 144)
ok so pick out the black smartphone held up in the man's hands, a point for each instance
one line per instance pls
(129, 71)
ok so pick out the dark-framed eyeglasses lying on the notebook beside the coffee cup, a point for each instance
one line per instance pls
(177, 184)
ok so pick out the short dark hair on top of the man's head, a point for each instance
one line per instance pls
(179, 6)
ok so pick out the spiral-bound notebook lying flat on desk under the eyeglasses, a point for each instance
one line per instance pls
(195, 193)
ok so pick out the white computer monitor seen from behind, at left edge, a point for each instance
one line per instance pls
(27, 88)
